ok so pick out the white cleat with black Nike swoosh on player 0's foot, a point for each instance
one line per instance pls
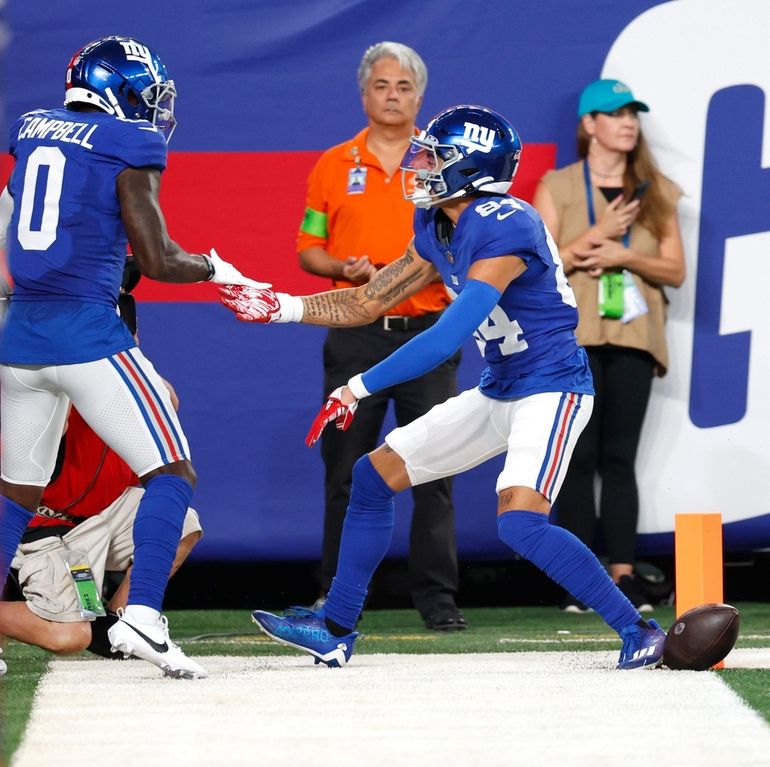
(151, 642)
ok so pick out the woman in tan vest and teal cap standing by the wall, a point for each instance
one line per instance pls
(613, 216)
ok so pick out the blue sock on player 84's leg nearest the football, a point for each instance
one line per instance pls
(569, 562)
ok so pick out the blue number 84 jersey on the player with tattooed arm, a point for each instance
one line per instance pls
(528, 341)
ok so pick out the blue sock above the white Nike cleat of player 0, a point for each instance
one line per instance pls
(157, 530)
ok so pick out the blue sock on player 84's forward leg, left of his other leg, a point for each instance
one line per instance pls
(365, 541)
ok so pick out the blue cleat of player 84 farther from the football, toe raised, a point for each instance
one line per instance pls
(306, 630)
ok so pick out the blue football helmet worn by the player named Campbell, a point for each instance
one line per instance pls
(125, 78)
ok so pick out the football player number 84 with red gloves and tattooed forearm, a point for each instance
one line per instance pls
(534, 398)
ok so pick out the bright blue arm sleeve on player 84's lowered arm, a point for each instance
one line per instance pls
(439, 342)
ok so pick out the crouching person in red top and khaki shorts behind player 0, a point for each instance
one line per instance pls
(83, 526)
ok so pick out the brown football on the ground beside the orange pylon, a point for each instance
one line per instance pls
(701, 637)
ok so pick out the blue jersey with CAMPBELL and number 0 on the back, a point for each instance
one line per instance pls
(66, 241)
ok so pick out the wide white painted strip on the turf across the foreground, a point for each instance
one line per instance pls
(536, 708)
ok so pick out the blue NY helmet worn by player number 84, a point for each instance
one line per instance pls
(463, 150)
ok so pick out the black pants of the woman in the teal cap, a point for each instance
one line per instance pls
(607, 447)
